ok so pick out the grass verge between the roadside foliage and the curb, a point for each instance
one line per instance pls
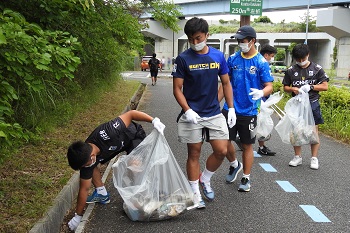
(32, 177)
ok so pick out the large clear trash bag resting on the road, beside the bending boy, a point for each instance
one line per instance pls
(151, 182)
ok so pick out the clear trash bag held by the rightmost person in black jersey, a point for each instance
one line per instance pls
(297, 126)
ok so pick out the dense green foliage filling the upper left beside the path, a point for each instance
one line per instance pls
(51, 51)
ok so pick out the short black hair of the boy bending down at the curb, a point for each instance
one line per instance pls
(78, 154)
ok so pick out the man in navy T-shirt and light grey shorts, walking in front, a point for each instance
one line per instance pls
(195, 87)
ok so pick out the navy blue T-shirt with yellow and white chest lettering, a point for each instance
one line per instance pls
(200, 73)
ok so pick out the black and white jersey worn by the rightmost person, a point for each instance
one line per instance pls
(314, 74)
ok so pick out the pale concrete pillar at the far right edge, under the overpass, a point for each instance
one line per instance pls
(343, 57)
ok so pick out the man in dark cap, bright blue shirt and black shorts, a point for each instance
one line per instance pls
(249, 72)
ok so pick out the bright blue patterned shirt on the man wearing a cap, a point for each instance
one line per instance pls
(246, 73)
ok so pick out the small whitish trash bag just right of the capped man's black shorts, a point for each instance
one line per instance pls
(264, 121)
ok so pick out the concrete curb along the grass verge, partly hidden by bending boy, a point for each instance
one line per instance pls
(53, 218)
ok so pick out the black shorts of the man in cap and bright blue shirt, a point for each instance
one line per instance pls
(245, 126)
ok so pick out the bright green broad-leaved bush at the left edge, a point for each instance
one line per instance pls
(31, 59)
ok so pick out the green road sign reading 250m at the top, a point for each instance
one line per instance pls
(246, 7)
